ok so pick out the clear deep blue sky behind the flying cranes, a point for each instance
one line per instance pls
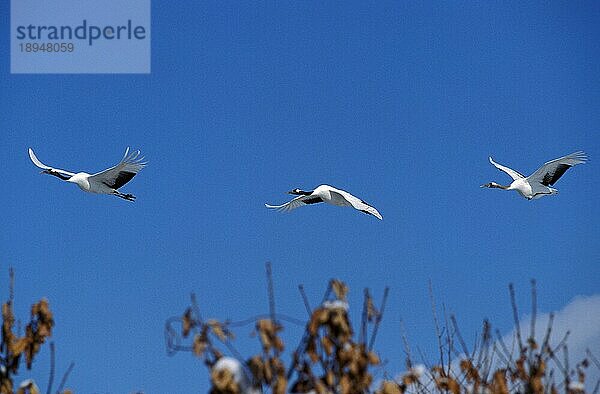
(399, 103)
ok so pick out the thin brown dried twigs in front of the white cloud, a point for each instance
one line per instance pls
(535, 367)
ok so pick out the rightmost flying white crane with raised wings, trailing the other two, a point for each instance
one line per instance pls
(538, 184)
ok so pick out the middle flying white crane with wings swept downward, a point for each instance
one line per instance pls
(329, 195)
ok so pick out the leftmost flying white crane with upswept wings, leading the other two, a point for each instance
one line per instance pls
(104, 182)
